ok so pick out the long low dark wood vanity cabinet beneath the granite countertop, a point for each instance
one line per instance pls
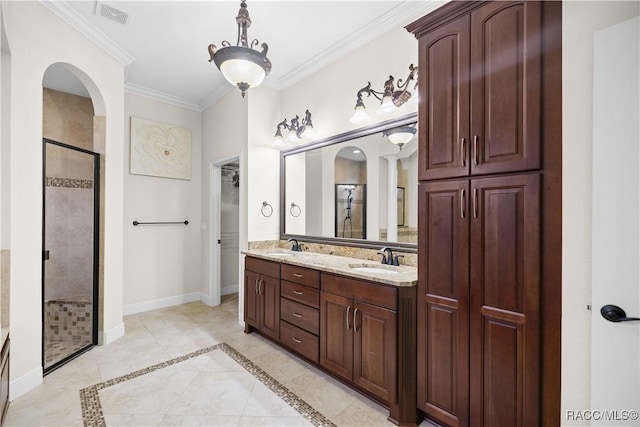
(359, 331)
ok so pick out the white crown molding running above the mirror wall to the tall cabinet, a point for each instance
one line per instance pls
(400, 16)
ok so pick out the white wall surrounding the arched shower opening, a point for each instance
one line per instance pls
(37, 40)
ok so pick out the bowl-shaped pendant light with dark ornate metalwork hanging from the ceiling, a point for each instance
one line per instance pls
(242, 65)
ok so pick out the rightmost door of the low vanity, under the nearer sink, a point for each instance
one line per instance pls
(374, 347)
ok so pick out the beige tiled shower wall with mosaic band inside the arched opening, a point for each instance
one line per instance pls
(68, 119)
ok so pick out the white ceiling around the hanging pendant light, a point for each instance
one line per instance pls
(164, 44)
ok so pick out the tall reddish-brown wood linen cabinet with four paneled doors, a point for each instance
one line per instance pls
(489, 282)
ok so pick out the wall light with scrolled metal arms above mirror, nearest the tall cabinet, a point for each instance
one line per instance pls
(390, 99)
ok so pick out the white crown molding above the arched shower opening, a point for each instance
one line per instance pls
(84, 27)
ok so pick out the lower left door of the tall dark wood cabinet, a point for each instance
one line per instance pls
(443, 301)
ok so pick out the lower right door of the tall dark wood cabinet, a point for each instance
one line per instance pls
(505, 301)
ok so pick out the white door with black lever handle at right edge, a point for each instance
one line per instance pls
(615, 355)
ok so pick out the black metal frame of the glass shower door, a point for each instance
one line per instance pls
(96, 251)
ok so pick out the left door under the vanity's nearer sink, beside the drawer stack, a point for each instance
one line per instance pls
(336, 334)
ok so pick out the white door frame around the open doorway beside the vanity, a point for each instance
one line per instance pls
(215, 191)
